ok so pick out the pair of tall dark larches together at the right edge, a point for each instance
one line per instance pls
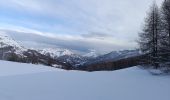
(155, 36)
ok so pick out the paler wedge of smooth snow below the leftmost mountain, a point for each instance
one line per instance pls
(12, 68)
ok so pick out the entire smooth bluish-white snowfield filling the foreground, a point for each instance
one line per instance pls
(31, 82)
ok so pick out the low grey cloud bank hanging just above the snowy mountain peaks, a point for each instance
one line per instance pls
(75, 43)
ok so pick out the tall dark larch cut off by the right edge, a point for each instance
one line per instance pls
(165, 36)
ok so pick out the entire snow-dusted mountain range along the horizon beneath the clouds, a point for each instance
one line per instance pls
(12, 50)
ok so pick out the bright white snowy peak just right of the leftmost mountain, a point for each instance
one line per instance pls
(55, 52)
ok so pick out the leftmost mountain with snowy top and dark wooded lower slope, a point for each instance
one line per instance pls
(13, 51)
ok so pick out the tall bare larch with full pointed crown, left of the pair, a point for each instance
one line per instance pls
(149, 37)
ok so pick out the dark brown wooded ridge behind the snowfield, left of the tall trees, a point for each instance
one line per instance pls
(113, 65)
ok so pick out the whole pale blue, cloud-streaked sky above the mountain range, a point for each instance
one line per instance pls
(78, 25)
